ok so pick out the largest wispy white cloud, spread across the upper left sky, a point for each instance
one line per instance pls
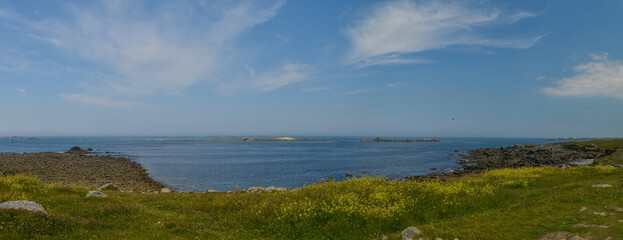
(160, 52)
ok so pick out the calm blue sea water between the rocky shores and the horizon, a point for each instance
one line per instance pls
(187, 165)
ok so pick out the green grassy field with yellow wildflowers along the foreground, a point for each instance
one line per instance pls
(500, 204)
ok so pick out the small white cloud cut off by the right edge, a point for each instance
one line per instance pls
(600, 77)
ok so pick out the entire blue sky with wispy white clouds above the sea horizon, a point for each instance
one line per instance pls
(533, 68)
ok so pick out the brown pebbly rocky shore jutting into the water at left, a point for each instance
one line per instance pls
(87, 170)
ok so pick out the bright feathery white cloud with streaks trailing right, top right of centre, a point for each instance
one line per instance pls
(401, 27)
